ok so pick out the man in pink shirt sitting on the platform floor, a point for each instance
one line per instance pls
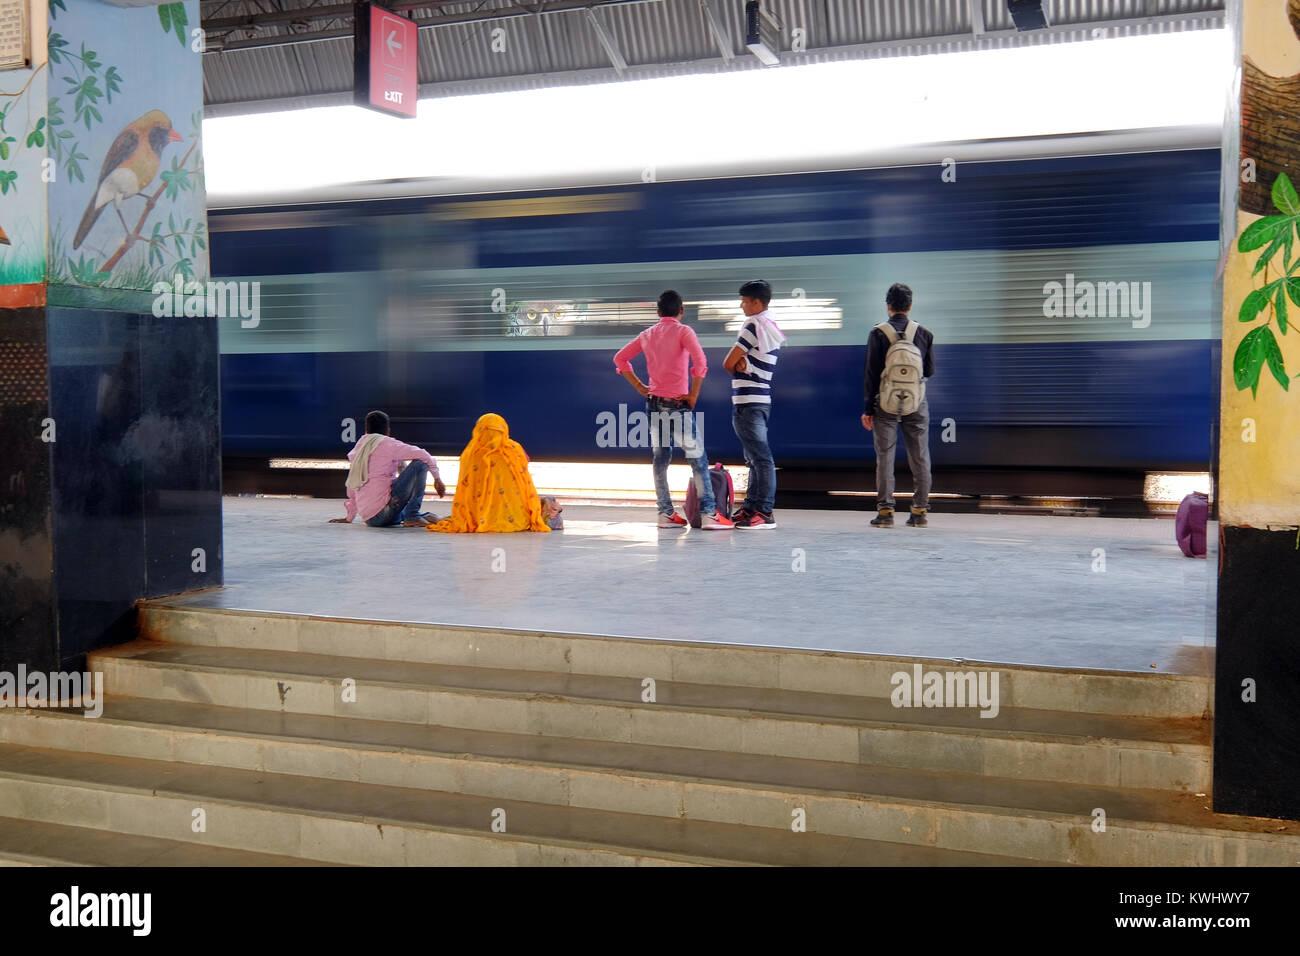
(375, 490)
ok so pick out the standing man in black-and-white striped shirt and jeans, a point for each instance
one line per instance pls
(752, 364)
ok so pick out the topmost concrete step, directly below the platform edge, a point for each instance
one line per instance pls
(762, 668)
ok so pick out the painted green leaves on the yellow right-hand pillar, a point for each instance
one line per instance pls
(1275, 235)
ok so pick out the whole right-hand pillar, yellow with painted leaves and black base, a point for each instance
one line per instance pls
(1258, 657)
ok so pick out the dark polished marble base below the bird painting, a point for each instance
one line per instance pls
(127, 501)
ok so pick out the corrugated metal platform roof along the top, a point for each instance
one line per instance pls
(296, 54)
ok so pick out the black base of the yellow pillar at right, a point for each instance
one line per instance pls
(1256, 745)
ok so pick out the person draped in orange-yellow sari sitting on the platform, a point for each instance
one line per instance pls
(495, 491)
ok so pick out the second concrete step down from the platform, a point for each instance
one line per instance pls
(1100, 750)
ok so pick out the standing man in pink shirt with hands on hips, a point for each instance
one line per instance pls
(673, 357)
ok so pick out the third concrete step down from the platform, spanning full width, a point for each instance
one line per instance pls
(1046, 823)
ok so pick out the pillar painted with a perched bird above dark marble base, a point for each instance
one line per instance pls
(110, 474)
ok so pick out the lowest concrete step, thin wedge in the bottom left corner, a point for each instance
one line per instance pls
(31, 843)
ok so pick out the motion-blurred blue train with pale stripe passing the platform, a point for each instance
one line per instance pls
(1071, 297)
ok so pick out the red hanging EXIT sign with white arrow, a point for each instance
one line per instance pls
(385, 62)
